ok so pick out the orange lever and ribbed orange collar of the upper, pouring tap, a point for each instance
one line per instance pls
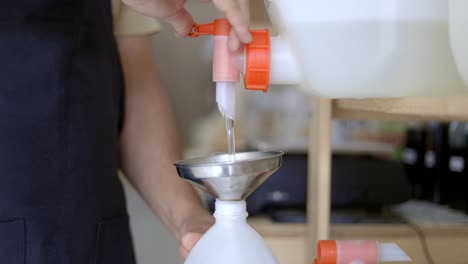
(257, 52)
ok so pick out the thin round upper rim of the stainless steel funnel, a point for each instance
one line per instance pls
(186, 163)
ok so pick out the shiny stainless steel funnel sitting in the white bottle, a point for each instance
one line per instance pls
(230, 180)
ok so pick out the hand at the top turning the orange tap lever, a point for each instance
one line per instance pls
(174, 12)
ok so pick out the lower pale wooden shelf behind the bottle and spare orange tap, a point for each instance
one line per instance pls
(447, 244)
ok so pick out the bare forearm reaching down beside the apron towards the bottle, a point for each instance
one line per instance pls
(149, 139)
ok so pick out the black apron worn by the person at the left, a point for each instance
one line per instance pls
(61, 93)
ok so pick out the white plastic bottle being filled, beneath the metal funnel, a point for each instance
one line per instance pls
(231, 240)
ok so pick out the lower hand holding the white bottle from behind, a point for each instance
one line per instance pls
(192, 230)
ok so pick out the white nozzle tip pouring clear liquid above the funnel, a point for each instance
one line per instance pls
(226, 98)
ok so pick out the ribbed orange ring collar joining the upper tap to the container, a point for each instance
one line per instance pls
(257, 61)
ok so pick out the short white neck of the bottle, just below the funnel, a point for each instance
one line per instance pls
(230, 211)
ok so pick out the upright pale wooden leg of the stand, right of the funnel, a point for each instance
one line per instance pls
(319, 176)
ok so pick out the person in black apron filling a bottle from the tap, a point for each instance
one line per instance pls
(69, 119)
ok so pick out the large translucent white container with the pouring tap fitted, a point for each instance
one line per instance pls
(370, 48)
